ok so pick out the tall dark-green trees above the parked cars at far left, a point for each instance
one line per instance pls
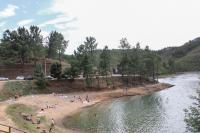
(28, 45)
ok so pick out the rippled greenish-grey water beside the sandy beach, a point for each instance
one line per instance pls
(160, 112)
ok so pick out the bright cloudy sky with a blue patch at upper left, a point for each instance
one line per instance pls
(156, 23)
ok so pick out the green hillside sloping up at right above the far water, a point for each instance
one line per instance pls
(185, 57)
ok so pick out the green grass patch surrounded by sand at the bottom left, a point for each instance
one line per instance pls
(14, 112)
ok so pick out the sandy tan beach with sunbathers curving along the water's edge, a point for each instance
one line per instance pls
(63, 105)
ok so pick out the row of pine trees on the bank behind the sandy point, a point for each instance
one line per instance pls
(93, 64)
